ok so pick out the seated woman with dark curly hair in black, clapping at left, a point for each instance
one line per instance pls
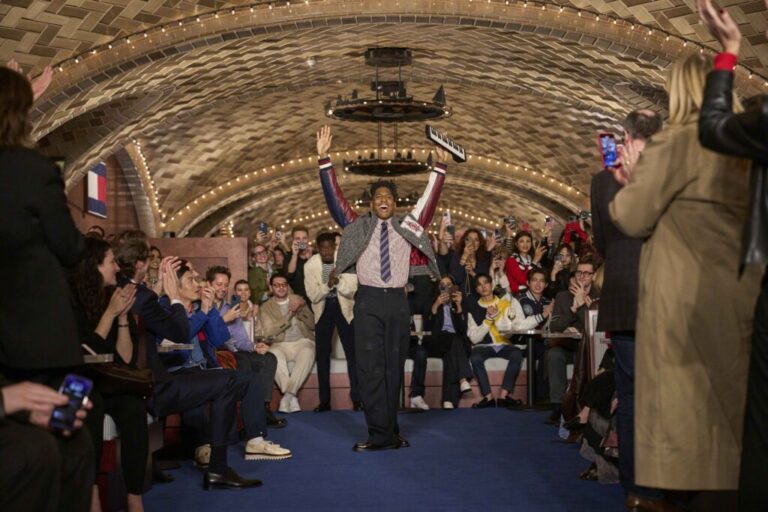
(106, 326)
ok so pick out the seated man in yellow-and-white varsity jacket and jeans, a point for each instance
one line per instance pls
(487, 319)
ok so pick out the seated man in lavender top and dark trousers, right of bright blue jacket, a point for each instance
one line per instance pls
(249, 356)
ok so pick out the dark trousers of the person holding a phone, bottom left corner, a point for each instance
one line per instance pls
(41, 471)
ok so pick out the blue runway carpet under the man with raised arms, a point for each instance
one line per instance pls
(461, 460)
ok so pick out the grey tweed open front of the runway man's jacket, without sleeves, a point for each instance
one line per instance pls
(357, 236)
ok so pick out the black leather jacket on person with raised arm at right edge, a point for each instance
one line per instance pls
(744, 135)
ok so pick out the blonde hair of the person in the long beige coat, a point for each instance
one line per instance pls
(685, 86)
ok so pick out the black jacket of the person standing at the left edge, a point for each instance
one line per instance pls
(37, 327)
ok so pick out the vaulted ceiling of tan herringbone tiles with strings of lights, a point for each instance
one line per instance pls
(217, 93)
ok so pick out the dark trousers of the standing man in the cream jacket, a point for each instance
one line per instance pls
(330, 319)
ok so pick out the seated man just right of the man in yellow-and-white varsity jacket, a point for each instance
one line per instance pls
(536, 309)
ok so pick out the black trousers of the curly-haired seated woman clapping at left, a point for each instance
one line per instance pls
(129, 413)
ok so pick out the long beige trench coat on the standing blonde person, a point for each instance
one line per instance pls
(695, 312)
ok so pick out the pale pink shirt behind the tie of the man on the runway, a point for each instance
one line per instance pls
(369, 264)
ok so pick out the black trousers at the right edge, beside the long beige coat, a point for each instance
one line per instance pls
(753, 480)
